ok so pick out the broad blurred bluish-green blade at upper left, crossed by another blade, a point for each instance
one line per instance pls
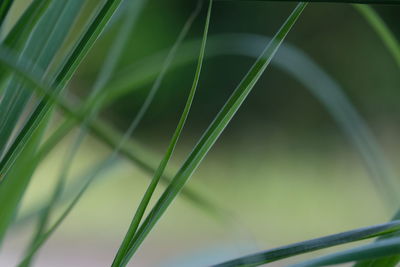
(44, 42)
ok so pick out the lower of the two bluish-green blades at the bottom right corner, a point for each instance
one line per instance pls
(388, 247)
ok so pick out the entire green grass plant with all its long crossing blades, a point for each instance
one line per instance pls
(31, 71)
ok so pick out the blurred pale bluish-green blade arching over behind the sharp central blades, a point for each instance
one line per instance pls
(303, 69)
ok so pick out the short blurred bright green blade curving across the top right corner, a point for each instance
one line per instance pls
(380, 27)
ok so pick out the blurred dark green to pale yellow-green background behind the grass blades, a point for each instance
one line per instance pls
(283, 171)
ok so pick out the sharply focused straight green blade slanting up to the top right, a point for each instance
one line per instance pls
(213, 132)
